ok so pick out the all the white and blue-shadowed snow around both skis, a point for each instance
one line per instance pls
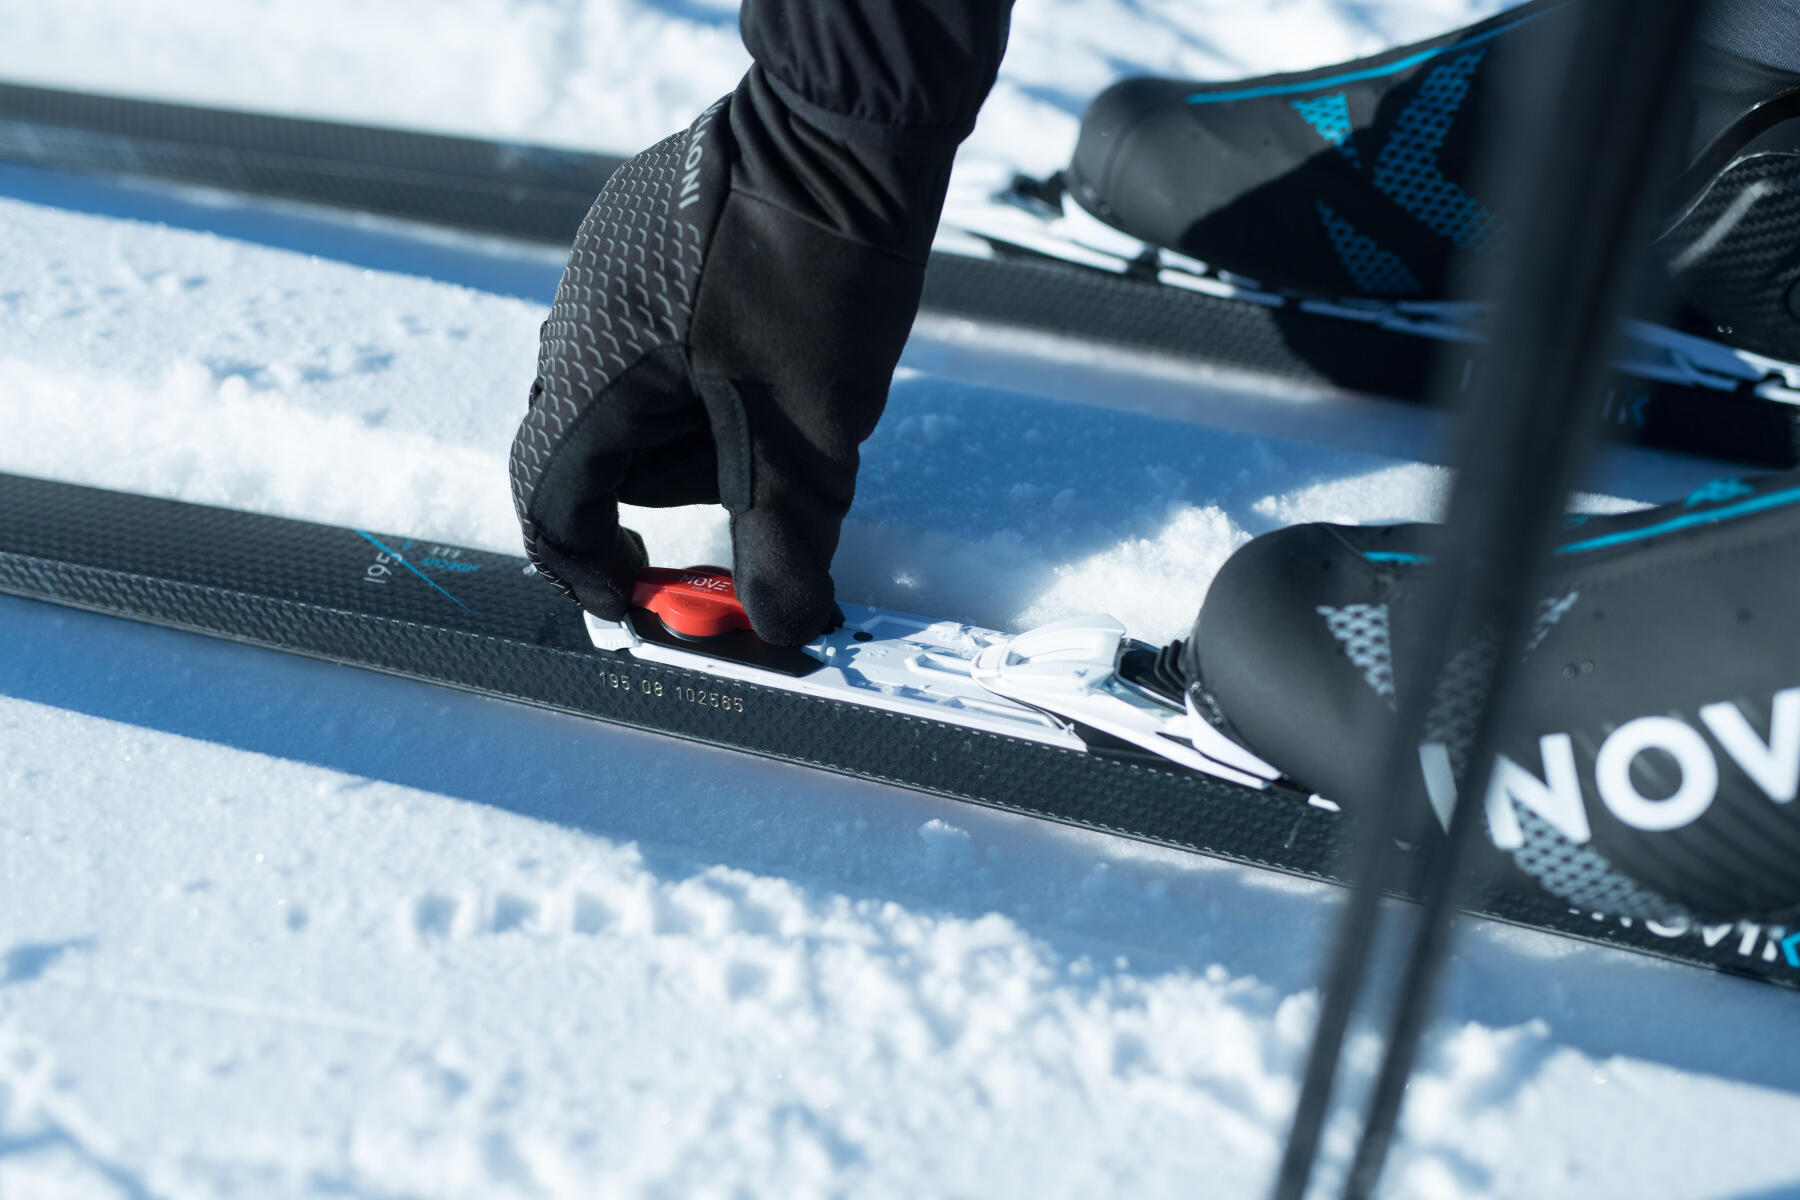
(280, 929)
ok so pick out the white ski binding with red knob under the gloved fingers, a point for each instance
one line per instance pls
(1065, 685)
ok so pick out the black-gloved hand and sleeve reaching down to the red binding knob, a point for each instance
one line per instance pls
(728, 328)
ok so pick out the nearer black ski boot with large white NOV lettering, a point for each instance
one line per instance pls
(1657, 760)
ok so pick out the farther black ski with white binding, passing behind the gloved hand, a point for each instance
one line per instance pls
(1023, 258)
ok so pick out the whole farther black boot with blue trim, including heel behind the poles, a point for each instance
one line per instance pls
(1360, 179)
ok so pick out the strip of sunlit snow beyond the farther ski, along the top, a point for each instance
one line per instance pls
(620, 76)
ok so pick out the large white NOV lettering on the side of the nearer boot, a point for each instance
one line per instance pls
(1556, 791)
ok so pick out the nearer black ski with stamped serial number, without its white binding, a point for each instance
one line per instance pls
(478, 622)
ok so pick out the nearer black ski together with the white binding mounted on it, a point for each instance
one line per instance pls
(901, 706)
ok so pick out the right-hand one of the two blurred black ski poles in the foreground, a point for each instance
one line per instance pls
(1579, 258)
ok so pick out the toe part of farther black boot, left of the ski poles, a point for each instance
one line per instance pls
(1351, 181)
